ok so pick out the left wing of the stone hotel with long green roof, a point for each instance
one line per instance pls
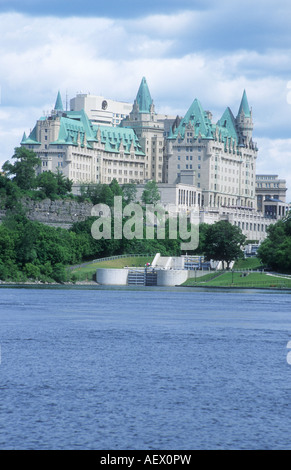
(86, 153)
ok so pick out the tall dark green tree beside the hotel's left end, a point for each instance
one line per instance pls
(23, 170)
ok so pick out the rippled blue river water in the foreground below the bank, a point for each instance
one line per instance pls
(144, 369)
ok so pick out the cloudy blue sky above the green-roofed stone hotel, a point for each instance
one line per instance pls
(186, 49)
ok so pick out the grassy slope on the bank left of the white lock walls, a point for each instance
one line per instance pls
(87, 273)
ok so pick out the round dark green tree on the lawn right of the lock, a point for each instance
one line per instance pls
(223, 242)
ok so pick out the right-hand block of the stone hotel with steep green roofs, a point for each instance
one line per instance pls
(223, 156)
